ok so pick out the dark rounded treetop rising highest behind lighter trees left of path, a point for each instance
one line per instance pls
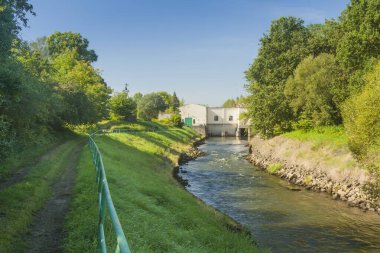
(59, 42)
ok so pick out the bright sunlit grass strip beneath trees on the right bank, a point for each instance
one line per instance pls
(333, 135)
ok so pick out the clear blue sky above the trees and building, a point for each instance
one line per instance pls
(198, 48)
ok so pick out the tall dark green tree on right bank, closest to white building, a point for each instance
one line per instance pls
(280, 52)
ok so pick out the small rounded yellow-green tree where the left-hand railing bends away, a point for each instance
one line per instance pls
(123, 106)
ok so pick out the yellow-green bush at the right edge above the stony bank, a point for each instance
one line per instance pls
(361, 115)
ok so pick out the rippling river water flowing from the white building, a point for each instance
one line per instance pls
(280, 219)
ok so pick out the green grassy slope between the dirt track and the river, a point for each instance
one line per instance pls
(157, 214)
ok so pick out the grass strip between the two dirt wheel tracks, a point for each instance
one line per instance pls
(20, 201)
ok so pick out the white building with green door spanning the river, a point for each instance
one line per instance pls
(214, 121)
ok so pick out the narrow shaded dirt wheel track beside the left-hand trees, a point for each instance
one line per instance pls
(24, 170)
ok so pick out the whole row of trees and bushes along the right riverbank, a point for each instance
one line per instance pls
(306, 76)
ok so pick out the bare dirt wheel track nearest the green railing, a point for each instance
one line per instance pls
(46, 233)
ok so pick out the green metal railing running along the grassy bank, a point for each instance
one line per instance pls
(105, 201)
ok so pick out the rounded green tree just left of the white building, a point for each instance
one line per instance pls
(149, 106)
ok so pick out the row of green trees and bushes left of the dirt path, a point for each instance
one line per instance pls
(50, 84)
